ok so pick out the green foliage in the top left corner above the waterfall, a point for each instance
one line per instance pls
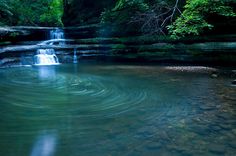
(34, 13)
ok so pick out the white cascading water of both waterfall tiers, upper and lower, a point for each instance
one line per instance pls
(48, 56)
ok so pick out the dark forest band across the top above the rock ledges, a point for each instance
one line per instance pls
(175, 18)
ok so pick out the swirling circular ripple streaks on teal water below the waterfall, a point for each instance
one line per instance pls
(85, 91)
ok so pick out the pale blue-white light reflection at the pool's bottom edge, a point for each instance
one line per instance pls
(45, 144)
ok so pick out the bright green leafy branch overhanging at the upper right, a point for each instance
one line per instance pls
(194, 18)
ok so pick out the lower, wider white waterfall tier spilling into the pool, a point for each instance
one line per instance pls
(46, 57)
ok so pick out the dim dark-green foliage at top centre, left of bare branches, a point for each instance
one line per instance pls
(123, 11)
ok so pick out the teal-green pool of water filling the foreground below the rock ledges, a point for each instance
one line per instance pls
(74, 110)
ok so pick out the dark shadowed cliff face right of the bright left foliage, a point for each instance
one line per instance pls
(78, 12)
